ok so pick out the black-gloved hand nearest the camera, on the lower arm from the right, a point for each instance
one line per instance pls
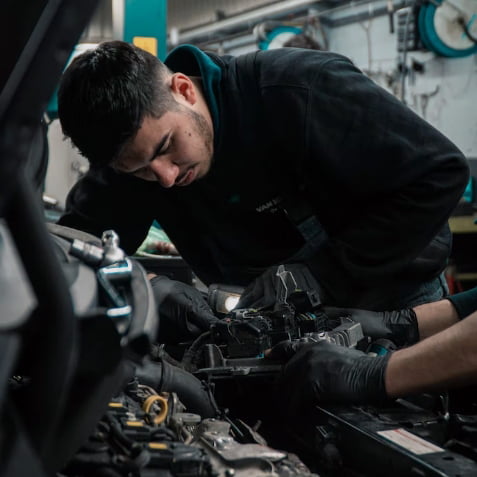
(325, 372)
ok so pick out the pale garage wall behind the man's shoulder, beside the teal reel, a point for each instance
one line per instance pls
(445, 93)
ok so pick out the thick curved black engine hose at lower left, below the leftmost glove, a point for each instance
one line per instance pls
(165, 377)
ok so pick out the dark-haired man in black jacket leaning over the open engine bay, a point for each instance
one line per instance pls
(281, 156)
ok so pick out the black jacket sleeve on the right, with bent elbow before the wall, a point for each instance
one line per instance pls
(390, 179)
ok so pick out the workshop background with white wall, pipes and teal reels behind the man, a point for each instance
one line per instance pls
(420, 51)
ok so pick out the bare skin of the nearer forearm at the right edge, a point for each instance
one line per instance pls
(444, 359)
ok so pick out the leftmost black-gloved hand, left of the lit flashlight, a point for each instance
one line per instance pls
(183, 312)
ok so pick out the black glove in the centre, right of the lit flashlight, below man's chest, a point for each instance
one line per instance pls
(262, 292)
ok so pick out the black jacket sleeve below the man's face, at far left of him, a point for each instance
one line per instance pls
(105, 200)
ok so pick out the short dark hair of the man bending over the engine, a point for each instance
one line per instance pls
(105, 94)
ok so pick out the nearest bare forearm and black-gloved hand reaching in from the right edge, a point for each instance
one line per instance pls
(325, 372)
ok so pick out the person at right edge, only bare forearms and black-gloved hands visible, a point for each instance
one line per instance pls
(445, 356)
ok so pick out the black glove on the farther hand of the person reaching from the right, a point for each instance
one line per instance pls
(400, 327)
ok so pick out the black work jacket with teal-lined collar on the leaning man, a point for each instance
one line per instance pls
(314, 163)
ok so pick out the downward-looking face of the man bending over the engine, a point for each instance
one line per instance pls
(175, 149)
